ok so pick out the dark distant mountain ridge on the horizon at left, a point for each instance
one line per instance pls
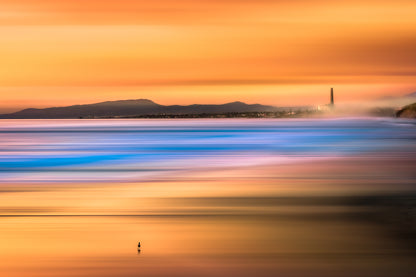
(136, 107)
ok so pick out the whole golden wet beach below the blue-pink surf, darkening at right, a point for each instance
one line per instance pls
(92, 231)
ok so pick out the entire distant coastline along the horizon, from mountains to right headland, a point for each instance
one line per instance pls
(144, 108)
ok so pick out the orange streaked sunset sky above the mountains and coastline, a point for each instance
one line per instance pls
(276, 52)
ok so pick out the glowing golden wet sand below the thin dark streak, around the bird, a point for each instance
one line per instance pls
(203, 246)
